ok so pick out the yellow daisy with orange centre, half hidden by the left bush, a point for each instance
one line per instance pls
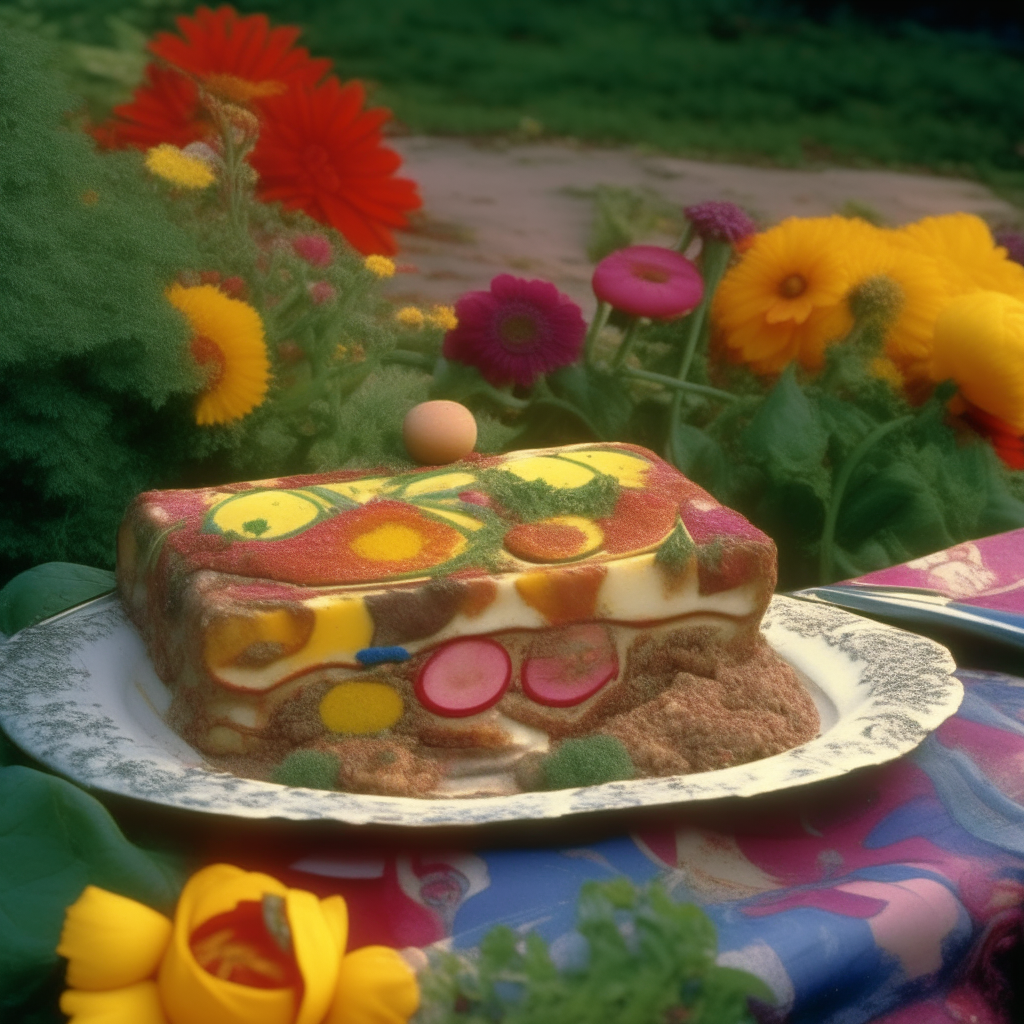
(228, 342)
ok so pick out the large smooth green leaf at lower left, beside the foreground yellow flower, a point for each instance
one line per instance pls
(55, 841)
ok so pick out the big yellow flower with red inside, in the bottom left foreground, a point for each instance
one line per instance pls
(243, 950)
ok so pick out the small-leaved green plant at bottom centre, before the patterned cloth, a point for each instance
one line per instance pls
(648, 961)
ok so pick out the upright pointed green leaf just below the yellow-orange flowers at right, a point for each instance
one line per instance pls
(787, 436)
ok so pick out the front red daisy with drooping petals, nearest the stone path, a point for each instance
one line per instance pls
(320, 152)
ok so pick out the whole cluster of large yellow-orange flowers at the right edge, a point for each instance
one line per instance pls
(788, 297)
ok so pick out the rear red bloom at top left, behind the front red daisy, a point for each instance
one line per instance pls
(241, 60)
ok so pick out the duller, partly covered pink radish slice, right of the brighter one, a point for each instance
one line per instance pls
(588, 661)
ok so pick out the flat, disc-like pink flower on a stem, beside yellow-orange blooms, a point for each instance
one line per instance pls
(649, 281)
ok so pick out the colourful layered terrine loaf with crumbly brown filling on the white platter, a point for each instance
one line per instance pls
(498, 625)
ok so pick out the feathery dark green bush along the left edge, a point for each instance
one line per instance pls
(93, 359)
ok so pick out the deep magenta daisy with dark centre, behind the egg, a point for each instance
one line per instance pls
(518, 331)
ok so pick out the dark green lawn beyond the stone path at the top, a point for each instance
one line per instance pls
(727, 79)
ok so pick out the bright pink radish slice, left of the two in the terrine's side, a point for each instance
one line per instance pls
(464, 677)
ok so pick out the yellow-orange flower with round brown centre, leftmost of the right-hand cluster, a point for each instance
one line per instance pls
(786, 298)
